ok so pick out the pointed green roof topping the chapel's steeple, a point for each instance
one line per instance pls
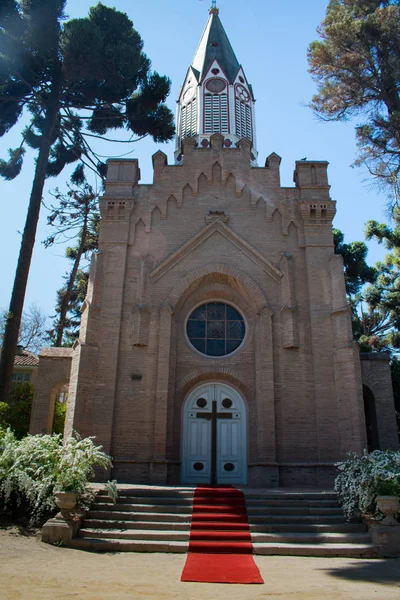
(214, 45)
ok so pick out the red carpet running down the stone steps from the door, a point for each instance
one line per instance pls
(220, 545)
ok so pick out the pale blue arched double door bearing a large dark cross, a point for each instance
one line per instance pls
(214, 436)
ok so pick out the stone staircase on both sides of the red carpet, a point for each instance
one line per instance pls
(158, 519)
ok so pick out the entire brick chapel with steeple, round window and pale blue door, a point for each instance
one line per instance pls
(216, 342)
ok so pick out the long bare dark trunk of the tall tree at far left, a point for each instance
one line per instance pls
(28, 241)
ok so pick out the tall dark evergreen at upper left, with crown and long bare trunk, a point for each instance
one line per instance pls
(77, 80)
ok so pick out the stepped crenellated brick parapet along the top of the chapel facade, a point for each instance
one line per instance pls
(216, 179)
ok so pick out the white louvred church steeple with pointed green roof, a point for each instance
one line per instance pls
(215, 96)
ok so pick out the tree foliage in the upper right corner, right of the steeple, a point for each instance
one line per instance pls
(356, 65)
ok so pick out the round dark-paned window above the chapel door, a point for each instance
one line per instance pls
(215, 329)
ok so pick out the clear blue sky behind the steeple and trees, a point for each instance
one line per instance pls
(270, 40)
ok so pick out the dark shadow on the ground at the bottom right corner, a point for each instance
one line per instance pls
(383, 571)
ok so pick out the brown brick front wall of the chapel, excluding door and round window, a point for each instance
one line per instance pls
(216, 228)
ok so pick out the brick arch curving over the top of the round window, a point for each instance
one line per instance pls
(177, 295)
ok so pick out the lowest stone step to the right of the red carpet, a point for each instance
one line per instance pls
(321, 550)
